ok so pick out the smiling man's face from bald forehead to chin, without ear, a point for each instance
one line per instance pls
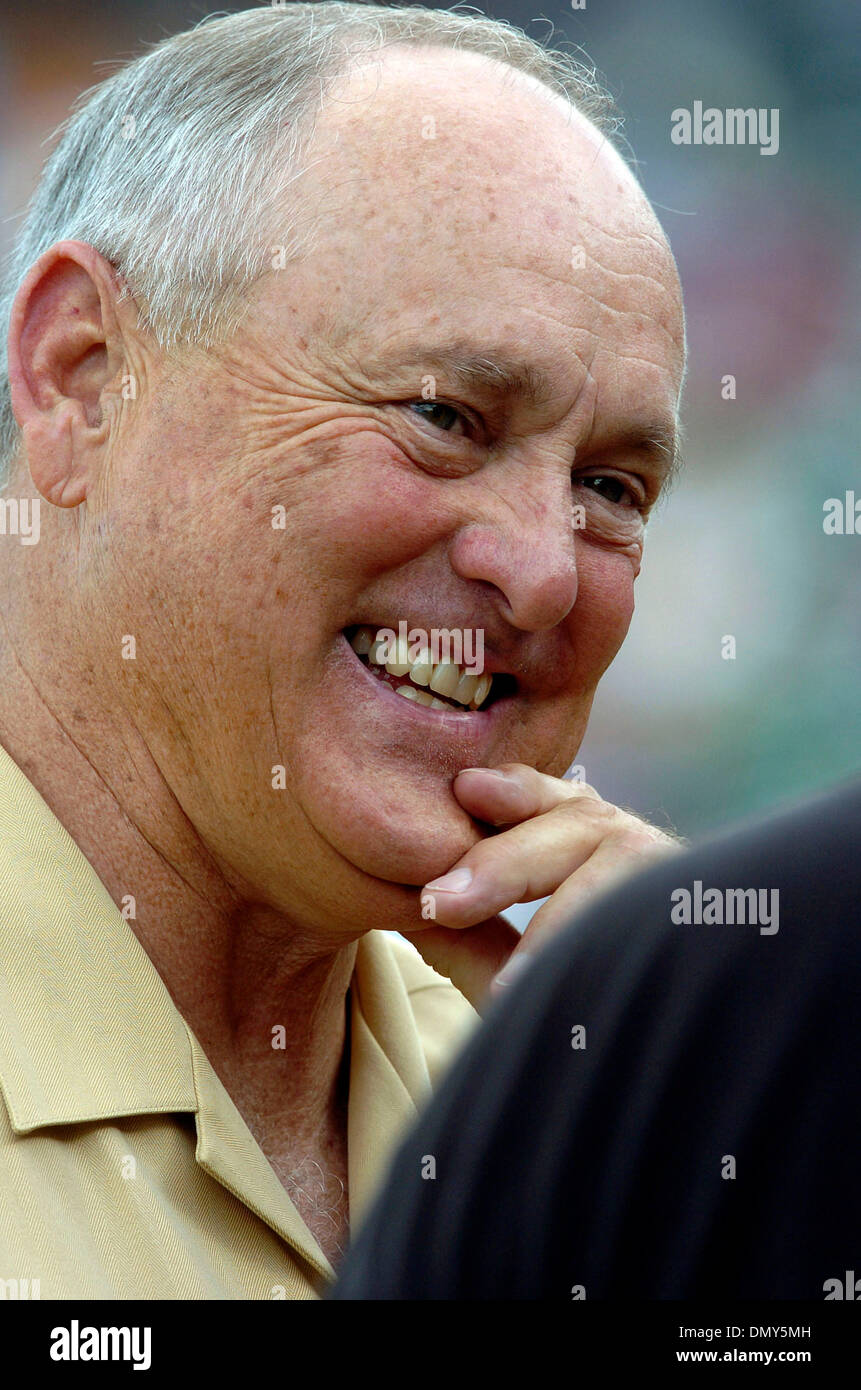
(453, 199)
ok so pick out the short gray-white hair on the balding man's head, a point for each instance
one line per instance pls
(176, 167)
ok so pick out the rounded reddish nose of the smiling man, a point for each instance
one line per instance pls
(525, 547)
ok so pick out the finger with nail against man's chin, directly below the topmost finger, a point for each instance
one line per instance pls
(526, 862)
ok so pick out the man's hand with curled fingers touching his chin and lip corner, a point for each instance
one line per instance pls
(565, 842)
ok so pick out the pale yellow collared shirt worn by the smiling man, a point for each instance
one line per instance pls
(126, 1170)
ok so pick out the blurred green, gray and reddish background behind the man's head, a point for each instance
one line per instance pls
(770, 254)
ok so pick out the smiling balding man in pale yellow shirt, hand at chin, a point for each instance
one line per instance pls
(326, 319)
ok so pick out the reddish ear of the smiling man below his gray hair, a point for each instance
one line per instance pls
(62, 357)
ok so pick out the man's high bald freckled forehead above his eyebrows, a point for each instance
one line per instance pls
(454, 193)
